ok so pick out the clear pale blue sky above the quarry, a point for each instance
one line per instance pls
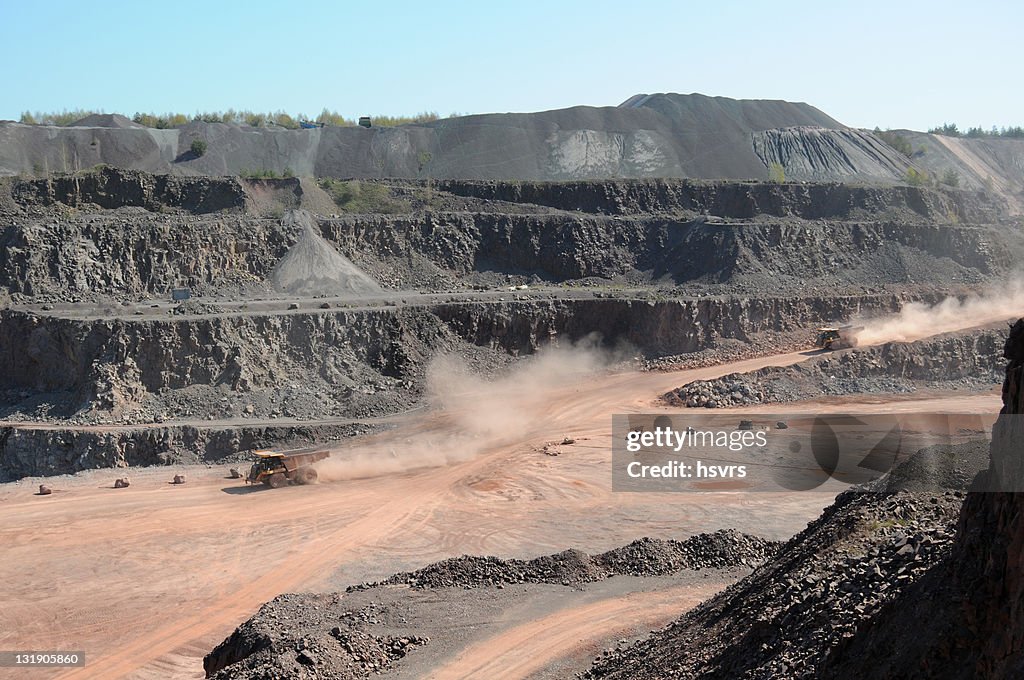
(891, 64)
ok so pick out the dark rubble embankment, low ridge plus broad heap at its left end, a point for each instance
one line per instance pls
(369, 629)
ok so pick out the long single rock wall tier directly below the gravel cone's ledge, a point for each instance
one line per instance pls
(48, 354)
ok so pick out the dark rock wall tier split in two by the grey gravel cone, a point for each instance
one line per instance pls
(132, 254)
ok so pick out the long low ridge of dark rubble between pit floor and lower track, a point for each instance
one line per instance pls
(644, 558)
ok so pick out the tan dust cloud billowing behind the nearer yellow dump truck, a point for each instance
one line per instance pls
(468, 413)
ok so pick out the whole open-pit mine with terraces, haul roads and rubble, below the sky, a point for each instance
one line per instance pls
(447, 362)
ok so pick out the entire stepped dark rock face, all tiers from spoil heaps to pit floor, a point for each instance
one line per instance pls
(667, 268)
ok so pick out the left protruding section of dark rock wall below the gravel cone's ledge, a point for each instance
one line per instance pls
(51, 355)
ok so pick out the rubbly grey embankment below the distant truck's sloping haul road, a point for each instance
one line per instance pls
(966, 361)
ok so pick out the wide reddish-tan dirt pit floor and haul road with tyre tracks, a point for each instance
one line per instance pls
(149, 579)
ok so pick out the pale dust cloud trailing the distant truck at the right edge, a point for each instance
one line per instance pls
(917, 321)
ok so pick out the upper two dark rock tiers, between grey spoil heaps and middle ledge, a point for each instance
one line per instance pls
(724, 238)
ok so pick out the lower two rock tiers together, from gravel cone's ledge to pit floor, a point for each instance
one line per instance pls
(323, 365)
